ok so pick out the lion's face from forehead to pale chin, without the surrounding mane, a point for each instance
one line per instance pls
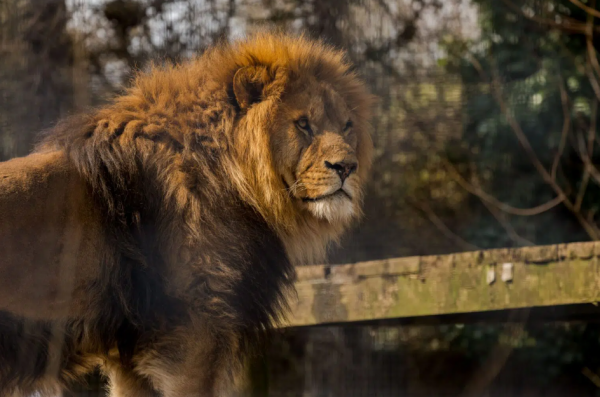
(315, 150)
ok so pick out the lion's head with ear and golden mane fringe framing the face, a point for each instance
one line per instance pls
(302, 143)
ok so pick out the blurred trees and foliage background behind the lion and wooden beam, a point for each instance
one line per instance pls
(485, 134)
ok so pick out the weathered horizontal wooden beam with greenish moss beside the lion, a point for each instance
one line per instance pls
(473, 282)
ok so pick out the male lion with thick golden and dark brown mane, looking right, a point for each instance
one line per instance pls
(155, 237)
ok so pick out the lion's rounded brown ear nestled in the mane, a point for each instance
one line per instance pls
(248, 85)
